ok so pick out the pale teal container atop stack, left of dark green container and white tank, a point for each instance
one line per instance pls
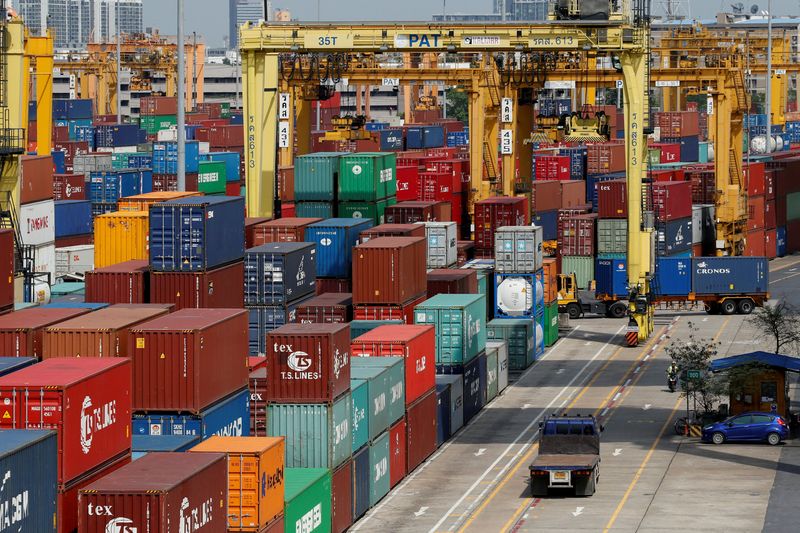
(460, 322)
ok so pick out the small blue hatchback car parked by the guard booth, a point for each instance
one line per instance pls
(748, 427)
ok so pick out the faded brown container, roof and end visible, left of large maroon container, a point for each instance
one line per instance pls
(103, 334)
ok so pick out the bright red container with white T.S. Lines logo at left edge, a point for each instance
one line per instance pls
(86, 400)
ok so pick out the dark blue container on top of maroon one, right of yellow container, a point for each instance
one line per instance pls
(197, 233)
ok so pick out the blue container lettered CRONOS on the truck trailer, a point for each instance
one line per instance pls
(730, 275)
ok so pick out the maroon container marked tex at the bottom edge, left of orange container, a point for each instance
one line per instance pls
(162, 491)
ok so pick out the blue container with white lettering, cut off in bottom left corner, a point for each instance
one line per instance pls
(29, 465)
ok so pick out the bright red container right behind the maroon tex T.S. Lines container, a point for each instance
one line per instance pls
(417, 344)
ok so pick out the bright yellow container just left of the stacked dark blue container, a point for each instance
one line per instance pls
(120, 237)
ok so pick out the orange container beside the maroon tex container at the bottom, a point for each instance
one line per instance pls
(255, 479)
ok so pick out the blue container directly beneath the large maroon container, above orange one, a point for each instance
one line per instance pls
(229, 417)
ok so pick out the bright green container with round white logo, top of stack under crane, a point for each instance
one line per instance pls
(367, 177)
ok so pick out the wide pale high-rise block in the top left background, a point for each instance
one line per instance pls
(73, 21)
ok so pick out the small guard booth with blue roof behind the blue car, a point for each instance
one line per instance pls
(766, 387)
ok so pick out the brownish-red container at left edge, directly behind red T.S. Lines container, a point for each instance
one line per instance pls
(21, 331)
